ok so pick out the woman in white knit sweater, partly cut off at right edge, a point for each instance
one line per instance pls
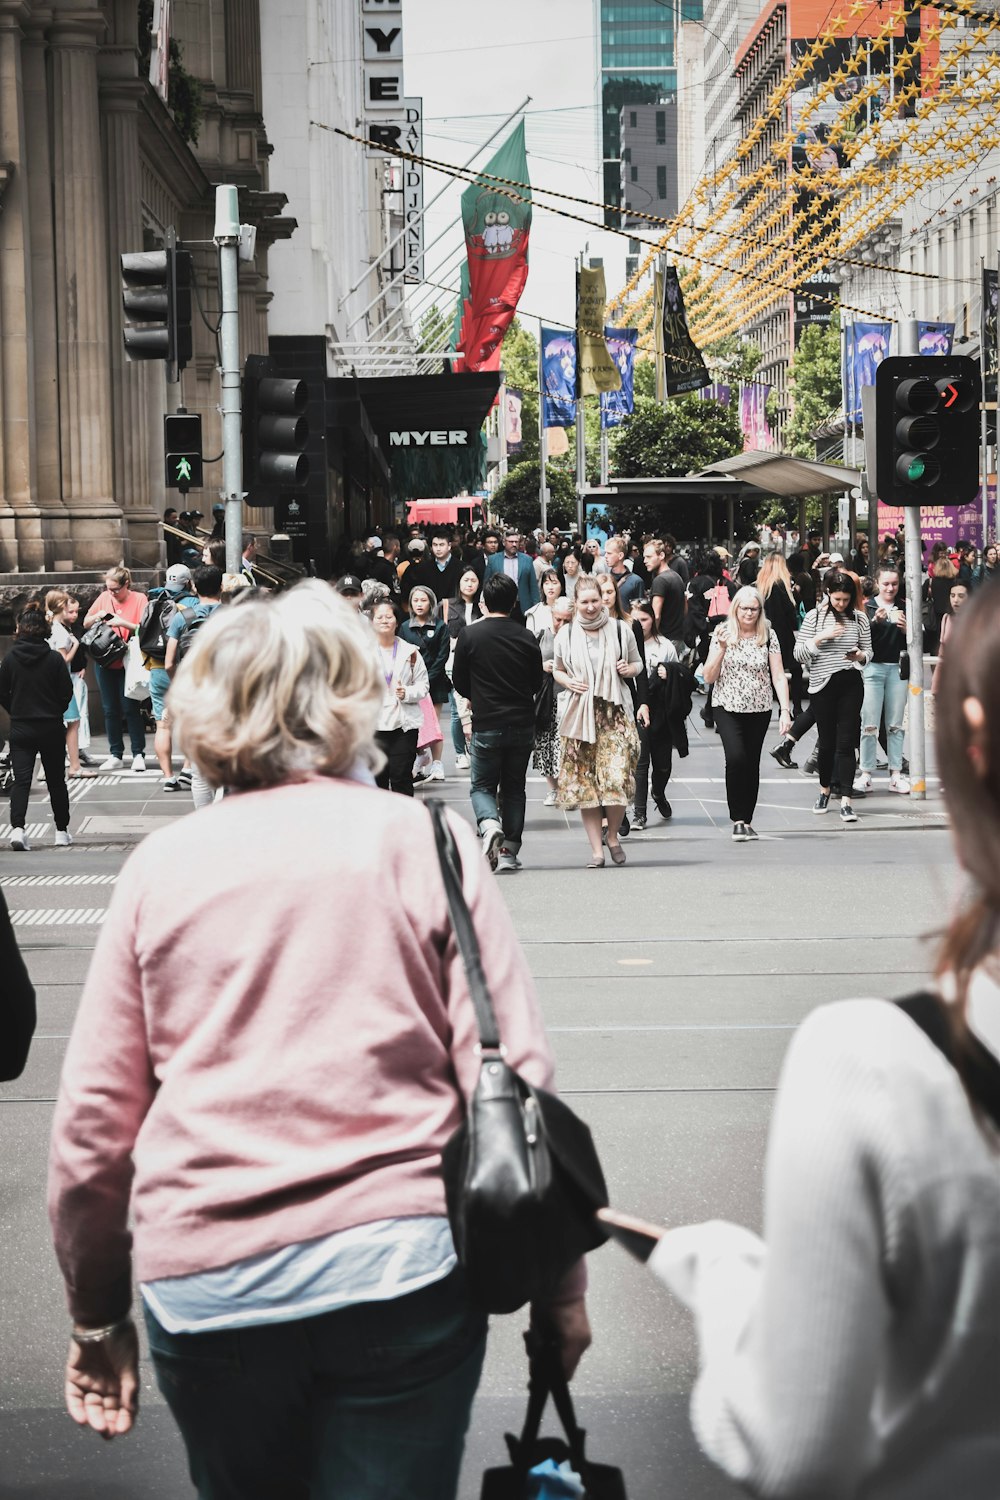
(855, 1351)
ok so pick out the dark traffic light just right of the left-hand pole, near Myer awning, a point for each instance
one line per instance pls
(275, 433)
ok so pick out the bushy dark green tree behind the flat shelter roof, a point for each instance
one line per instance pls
(660, 442)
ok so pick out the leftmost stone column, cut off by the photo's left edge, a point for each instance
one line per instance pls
(19, 481)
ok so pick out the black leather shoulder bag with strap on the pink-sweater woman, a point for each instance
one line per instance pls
(522, 1177)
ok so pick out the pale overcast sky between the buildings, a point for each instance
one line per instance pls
(475, 62)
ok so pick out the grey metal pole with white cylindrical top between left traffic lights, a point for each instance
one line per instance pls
(229, 241)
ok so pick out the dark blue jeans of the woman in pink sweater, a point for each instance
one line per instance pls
(367, 1403)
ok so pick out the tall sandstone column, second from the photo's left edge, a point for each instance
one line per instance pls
(82, 287)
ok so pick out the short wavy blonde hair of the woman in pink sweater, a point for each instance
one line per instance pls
(280, 689)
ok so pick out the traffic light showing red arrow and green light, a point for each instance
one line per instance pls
(927, 430)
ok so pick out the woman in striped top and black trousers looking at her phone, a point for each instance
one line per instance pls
(836, 646)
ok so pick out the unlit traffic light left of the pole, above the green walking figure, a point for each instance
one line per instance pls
(157, 301)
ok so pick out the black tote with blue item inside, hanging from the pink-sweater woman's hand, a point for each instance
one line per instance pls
(600, 1481)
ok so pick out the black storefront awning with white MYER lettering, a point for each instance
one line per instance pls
(428, 427)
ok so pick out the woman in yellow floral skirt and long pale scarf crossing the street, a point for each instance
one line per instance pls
(593, 661)
